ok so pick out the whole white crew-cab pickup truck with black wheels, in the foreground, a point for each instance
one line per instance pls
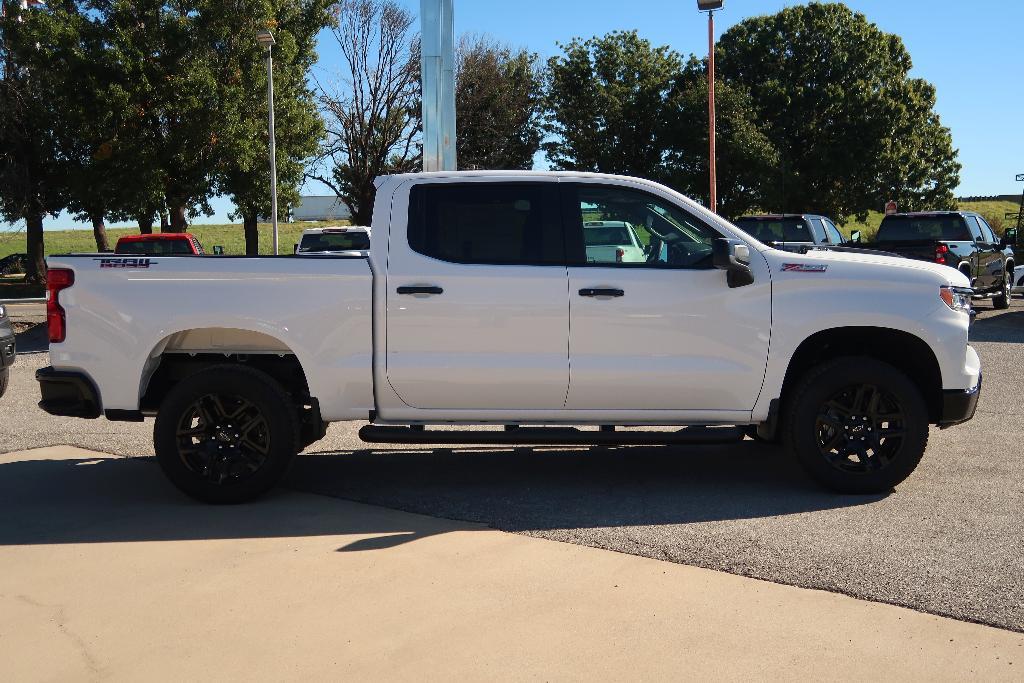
(478, 306)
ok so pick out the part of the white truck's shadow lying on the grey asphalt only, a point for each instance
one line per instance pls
(520, 490)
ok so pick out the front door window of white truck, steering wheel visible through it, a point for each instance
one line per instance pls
(636, 230)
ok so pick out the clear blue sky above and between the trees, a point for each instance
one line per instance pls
(971, 52)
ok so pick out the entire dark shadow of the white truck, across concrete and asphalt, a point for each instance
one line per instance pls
(111, 500)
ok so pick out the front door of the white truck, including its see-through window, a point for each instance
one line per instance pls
(668, 333)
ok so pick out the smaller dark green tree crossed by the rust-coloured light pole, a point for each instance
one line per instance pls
(745, 155)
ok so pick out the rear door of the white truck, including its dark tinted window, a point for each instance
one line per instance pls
(478, 307)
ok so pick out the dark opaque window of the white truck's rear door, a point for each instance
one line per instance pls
(485, 223)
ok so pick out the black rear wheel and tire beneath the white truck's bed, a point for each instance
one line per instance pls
(227, 435)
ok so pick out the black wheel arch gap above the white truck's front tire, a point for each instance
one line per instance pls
(902, 350)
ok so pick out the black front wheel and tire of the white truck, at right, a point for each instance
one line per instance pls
(858, 425)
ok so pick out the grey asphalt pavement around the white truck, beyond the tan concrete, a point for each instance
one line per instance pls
(950, 541)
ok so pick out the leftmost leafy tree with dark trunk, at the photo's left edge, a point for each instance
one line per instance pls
(29, 168)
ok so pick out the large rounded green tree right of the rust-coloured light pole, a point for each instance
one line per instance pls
(833, 96)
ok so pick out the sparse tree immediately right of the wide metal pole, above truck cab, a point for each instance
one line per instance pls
(499, 100)
